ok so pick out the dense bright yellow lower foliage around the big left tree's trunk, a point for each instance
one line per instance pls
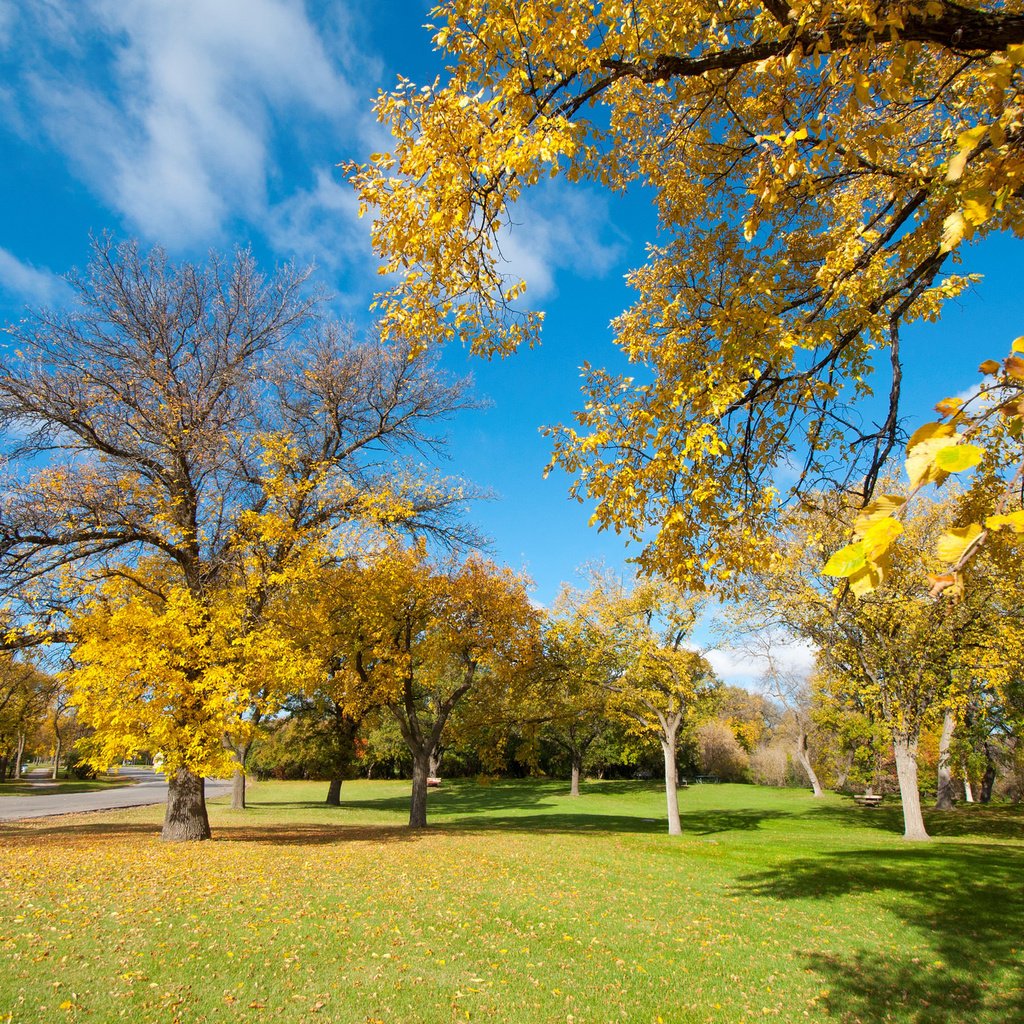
(176, 674)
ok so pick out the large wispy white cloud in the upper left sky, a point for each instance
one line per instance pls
(177, 133)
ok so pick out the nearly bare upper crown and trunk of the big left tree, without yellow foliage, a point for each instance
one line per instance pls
(176, 403)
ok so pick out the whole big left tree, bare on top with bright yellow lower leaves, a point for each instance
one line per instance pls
(184, 441)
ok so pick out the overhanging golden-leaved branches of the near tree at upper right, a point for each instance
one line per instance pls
(816, 167)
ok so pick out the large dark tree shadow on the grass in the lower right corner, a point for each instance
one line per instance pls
(965, 903)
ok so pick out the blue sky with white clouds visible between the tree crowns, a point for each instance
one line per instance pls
(202, 124)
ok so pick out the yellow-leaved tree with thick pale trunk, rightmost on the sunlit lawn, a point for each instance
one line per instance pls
(895, 654)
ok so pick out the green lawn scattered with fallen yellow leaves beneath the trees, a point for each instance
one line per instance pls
(519, 906)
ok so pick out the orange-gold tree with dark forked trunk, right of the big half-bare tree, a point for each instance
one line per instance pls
(423, 635)
